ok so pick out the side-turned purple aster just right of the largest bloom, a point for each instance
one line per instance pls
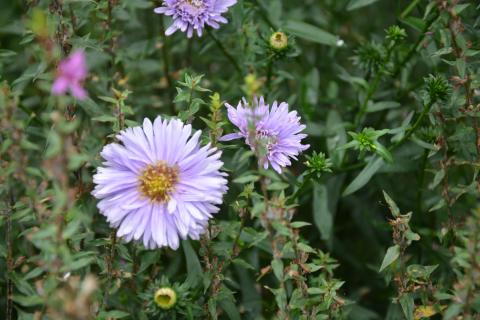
(272, 133)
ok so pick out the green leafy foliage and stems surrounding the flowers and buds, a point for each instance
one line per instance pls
(379, 220)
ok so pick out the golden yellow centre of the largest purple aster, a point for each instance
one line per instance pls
(158, 181)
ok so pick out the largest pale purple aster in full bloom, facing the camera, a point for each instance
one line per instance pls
(159, 184)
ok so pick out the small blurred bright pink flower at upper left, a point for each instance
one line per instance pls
(71, 73)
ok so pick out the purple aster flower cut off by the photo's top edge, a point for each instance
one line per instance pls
(190, 15)
